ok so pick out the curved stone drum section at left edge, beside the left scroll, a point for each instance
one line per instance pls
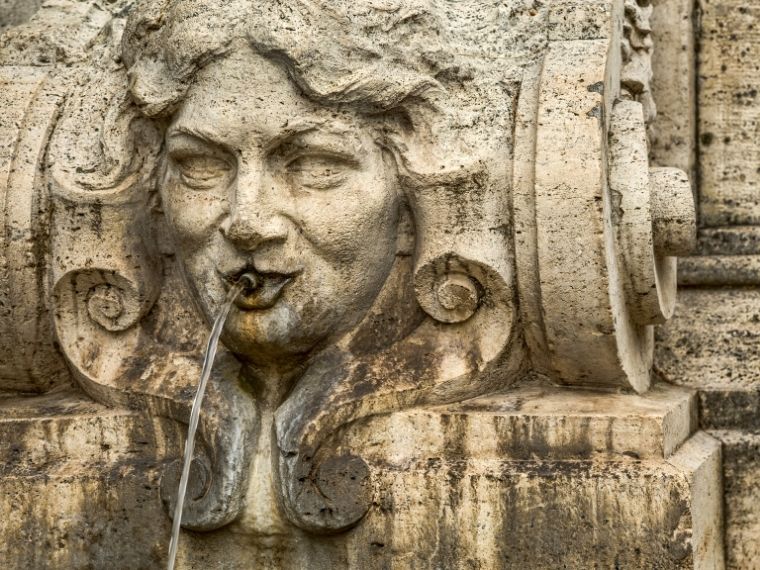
(31, 101)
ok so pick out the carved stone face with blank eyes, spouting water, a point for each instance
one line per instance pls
(261, 179)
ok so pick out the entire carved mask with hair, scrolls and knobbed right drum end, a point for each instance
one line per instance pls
(415, 193)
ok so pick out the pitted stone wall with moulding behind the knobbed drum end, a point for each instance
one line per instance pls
(713, 342)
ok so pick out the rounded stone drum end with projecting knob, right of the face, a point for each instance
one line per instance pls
(597, 229)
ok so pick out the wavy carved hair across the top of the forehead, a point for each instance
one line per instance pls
(164, 47)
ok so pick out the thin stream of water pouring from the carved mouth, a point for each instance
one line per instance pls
(246, 281)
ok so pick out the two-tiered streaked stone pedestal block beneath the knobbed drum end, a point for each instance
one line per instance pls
(544, 477)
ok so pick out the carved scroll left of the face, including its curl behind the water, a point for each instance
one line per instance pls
(113, 293)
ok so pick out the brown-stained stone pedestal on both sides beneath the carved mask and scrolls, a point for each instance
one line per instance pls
(541, 477)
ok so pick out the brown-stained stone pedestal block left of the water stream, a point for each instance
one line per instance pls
(79, 484)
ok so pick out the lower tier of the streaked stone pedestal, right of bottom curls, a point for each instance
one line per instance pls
(547, 514)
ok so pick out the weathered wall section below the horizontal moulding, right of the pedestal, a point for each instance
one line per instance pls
(712, 345)
